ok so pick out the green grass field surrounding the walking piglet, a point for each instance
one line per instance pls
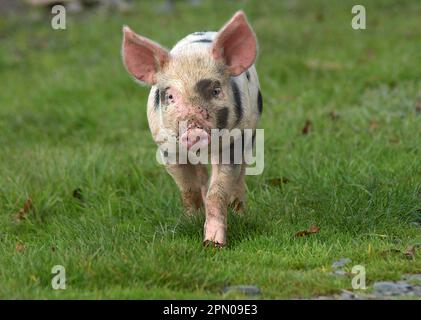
(74, 138)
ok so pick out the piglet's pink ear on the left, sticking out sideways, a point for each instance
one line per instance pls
(142, 57)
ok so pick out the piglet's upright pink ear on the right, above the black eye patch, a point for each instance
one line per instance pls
(236, 44)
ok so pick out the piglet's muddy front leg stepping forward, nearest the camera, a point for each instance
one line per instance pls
(223, 181)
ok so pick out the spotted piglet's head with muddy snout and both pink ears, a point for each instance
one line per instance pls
(194, 84)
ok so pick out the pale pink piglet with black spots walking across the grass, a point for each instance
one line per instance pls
(207, 81)
